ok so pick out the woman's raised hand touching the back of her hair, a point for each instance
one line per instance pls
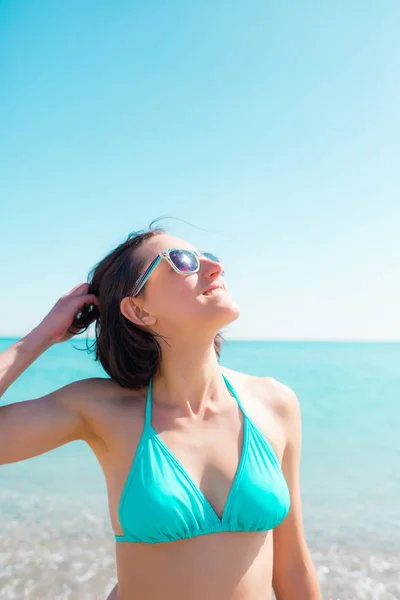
(56, 325)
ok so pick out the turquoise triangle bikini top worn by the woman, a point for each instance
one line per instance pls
(161, 503)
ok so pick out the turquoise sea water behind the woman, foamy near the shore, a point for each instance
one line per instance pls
(55, 534)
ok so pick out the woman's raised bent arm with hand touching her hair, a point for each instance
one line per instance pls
(32, 427)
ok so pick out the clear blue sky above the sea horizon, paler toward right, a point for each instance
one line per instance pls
(274, 126)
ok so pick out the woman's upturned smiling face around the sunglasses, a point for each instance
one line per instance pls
(171, 302)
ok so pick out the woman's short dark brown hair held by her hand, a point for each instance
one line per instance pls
(129, 354)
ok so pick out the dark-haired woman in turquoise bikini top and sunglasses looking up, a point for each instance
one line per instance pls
(201, 463)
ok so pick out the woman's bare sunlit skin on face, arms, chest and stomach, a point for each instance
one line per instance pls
(198, 420)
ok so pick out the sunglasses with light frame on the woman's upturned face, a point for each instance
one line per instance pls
(185, 262)
